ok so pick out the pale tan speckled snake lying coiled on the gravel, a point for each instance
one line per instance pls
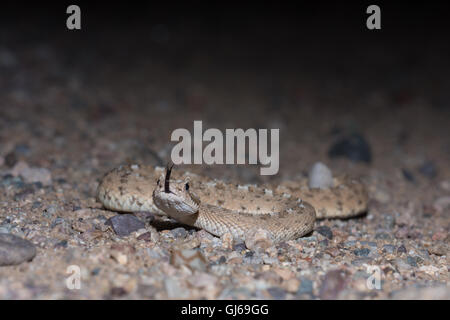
(286, 212)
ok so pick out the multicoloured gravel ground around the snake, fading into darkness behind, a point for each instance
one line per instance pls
(68, 116)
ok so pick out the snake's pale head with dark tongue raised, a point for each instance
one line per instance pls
(175, 197)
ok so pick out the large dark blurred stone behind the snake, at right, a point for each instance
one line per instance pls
(353, 147)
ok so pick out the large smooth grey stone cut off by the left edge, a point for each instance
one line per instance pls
(15, 250)
